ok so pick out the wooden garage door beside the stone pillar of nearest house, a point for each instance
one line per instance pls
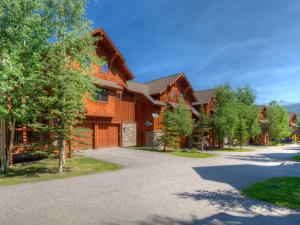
(107, 135)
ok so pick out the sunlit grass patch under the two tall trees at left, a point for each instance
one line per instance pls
(47, 170)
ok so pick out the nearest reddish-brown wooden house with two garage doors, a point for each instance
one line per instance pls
(111, 113)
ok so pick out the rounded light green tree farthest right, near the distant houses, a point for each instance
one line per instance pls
(278, 122)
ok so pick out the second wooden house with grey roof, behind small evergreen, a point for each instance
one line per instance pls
(154, 96)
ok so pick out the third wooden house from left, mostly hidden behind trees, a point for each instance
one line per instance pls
(206, 99)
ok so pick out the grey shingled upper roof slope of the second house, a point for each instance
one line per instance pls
(159, 85)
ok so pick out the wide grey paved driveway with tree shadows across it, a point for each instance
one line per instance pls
(156, 189)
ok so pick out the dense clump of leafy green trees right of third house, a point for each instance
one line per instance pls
(236, 115)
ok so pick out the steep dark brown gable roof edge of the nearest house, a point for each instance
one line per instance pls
(111, 46)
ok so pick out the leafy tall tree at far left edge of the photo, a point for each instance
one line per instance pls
(23, 38)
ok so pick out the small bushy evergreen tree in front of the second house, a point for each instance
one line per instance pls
(177, 123)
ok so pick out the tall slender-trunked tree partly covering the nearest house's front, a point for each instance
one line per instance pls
(66, 80)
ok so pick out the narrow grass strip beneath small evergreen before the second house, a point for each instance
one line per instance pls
(176, 153)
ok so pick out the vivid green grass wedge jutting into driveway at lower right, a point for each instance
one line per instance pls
(281, 191)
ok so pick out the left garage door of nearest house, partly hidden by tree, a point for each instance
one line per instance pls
(84, 139)
